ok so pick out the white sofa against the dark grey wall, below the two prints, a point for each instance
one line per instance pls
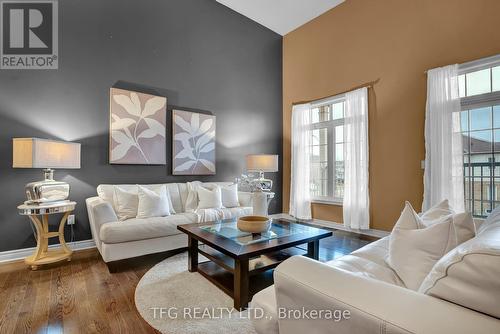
(117, 240)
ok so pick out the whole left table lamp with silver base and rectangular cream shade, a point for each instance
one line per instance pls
(48, 155)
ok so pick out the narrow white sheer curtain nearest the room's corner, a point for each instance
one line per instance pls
(300, 197)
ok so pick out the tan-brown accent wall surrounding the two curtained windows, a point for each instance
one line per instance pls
(392, 42)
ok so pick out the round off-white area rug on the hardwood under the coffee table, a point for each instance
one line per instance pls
(175, 301)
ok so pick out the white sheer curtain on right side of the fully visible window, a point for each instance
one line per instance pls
(356, 205)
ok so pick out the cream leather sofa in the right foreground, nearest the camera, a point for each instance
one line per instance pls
(376, 298)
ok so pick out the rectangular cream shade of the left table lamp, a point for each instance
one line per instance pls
(45, 153)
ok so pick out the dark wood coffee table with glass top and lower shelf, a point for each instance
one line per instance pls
(240, 263)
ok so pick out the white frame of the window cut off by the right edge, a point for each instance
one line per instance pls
(468, 103)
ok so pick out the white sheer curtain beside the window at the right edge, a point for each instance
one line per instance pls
(443, 176)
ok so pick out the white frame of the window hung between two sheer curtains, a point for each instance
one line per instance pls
(330, 125)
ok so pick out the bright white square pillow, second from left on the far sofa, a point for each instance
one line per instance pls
(152, 203)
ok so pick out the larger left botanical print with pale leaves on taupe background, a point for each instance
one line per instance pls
(137, 128)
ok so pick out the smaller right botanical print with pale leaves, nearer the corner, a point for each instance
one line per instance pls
(193, 144)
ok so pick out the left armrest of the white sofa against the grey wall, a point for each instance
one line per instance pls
(99, 212)
